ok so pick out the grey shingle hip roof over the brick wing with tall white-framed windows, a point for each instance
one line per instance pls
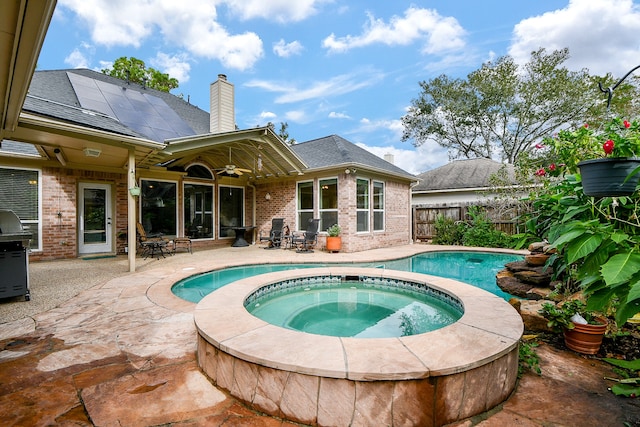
(334, 151)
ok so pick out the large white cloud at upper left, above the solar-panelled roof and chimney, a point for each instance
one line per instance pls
(190, 24)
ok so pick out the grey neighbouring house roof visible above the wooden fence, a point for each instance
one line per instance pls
(463, 174)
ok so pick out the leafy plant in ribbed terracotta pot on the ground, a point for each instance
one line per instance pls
(583, 330)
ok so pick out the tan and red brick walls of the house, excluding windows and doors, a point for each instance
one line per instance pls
(60, 213)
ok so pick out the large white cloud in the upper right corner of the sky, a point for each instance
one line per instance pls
(602, 35)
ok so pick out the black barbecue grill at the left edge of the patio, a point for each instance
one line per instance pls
(14, 256)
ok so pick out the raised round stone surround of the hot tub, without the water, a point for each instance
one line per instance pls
(427, 379)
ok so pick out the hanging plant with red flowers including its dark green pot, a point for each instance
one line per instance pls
(607, 158)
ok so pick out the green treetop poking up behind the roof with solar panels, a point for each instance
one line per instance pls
(135, 70)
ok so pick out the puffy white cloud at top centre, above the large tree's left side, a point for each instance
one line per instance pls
(439, 34)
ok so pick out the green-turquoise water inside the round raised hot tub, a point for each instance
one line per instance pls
(353, 309)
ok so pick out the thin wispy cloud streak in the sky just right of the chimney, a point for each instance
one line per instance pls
(338, 85)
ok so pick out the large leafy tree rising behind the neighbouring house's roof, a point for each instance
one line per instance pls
(500, 109)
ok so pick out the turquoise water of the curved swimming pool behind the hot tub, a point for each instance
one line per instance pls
(475, 268)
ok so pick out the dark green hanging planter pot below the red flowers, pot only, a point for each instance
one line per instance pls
(606, 177)
